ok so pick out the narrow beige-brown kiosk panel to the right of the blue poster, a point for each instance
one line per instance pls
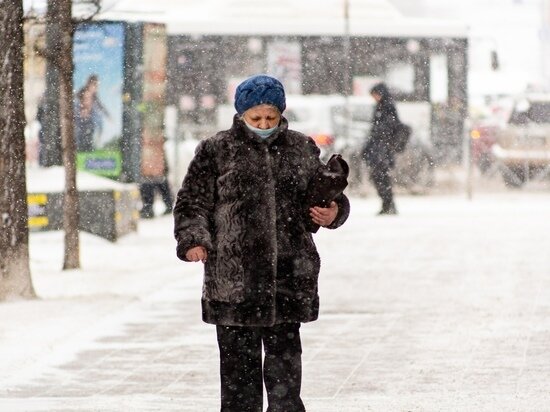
(155, 50)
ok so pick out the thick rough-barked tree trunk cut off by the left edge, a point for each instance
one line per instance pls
(15, 274)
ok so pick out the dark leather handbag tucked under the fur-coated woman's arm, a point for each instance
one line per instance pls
(329, 181)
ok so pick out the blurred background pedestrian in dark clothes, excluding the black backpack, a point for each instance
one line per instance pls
(379, 154)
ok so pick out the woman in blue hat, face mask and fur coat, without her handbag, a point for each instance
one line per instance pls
(241, 211)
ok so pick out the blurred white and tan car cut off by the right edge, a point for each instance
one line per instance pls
(522, 147)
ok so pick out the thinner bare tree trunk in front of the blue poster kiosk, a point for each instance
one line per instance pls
(59, 20)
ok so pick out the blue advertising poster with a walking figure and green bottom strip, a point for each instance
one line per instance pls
(98, 87)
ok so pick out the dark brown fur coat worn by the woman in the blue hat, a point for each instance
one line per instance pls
(243, 200)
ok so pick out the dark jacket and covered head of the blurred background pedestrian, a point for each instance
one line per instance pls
(384, 121)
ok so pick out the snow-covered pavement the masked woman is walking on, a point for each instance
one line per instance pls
(445, 307)
